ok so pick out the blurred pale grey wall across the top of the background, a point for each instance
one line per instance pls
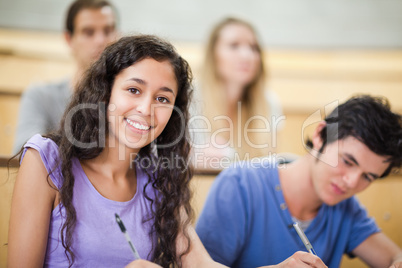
(281, 23)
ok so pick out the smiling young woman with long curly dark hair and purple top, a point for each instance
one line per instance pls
(131, 105)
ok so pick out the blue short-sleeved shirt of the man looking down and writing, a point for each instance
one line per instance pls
(246, 223)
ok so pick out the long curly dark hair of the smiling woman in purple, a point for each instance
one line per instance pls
(84, 127)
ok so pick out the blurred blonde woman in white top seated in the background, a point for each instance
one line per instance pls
(242, 115)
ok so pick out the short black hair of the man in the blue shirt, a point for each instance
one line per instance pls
(370, 120)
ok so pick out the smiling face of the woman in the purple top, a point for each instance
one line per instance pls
(141, 103)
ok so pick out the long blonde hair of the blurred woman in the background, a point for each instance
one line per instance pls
(253, 102)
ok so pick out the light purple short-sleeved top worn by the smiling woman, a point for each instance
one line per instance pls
(97, 238)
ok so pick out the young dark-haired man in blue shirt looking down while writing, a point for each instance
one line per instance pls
(248, 217)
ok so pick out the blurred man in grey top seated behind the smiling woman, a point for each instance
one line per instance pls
(90, 26)
